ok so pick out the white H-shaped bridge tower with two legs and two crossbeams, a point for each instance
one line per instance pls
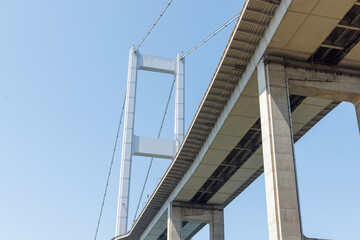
(143, 146)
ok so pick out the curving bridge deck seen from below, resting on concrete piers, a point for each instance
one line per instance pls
(221, 153)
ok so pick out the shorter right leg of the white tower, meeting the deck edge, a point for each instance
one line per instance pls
(179, 102)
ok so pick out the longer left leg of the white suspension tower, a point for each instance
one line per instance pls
(128, 134)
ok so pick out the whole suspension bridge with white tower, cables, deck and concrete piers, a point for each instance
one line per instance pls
(287, 64)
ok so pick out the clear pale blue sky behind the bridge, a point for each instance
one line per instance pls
(63, 68)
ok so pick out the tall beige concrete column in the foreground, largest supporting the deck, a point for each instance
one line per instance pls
(283, 212)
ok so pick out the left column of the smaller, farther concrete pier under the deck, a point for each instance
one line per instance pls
(174, 223)
